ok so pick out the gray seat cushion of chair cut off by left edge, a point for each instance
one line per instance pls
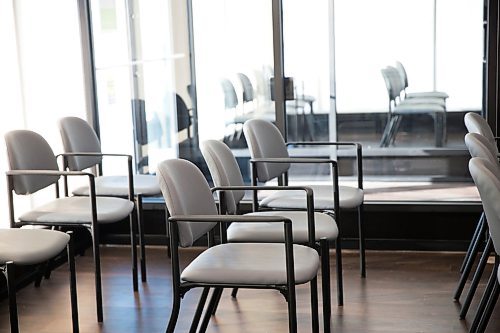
(30, 246)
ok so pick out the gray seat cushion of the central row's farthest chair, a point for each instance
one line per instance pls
(350, 197)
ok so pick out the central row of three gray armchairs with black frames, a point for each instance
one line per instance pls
(255, 251)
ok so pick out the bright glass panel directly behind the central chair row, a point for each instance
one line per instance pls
(234, 65)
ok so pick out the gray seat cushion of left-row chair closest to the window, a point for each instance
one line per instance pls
(117, 186)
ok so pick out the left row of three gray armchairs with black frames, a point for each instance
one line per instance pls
(106, 199)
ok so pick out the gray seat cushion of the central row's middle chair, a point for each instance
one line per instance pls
(325, 226)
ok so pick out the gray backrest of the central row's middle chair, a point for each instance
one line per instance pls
(224, 170)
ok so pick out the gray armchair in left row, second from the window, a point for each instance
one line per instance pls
(34, 167)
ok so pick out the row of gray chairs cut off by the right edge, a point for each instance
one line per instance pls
(485, 170)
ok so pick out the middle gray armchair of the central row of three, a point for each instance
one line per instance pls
(226, 174)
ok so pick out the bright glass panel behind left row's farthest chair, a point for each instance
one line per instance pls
(134, 69)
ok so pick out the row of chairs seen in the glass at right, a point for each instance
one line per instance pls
(401, 103)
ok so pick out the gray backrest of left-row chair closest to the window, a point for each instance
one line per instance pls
(79, 137)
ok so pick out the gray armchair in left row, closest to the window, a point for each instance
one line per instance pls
(82, 150)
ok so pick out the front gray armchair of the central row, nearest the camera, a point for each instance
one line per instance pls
(244, 265)
